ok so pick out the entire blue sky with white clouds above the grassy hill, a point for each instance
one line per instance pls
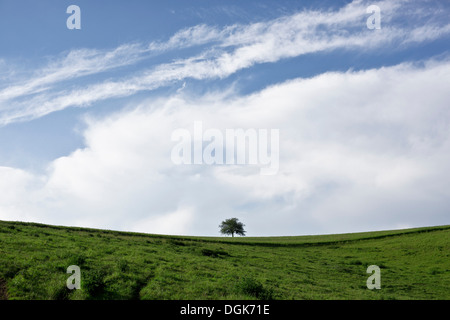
(359, 99)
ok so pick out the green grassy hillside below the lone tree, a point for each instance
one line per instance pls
(415, 264)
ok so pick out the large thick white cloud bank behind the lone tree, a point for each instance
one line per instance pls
(371, 153)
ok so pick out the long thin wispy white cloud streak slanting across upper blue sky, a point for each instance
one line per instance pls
(223, 51)
